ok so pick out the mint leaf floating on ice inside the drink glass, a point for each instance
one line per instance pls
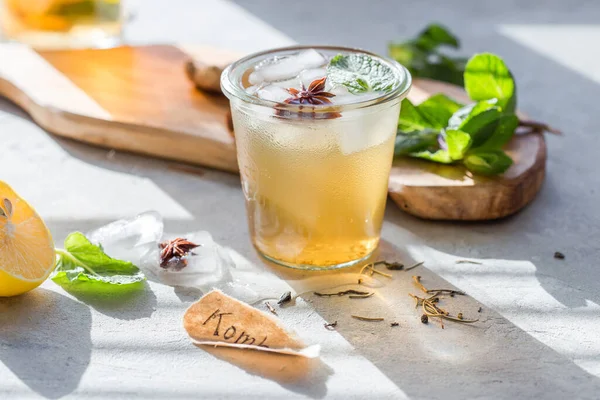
(360, 73)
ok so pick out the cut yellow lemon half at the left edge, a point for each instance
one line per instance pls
(26, 248)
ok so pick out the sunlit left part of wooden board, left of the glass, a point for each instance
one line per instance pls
(142, 102)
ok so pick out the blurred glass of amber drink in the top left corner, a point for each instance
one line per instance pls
(62, 23)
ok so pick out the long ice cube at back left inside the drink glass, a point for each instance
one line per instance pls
(287, 67)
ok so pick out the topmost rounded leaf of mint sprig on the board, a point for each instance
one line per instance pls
(487, 77)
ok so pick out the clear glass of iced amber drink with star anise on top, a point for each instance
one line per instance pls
(314, 164)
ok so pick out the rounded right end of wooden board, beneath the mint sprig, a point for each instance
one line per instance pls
(441, 192)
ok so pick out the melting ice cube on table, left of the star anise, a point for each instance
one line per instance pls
(130, 239)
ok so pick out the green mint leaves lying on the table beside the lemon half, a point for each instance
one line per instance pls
(86, 265)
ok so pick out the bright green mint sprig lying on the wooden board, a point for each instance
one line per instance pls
(445, 131)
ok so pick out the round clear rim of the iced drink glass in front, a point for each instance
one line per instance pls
(231, 87)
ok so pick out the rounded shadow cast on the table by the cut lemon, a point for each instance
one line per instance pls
(45, 341)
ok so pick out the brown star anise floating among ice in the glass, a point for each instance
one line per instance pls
(314, 95)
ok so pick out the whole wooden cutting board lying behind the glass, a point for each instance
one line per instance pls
(139, 99)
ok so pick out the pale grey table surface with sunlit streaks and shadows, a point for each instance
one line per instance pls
(539, 331)
